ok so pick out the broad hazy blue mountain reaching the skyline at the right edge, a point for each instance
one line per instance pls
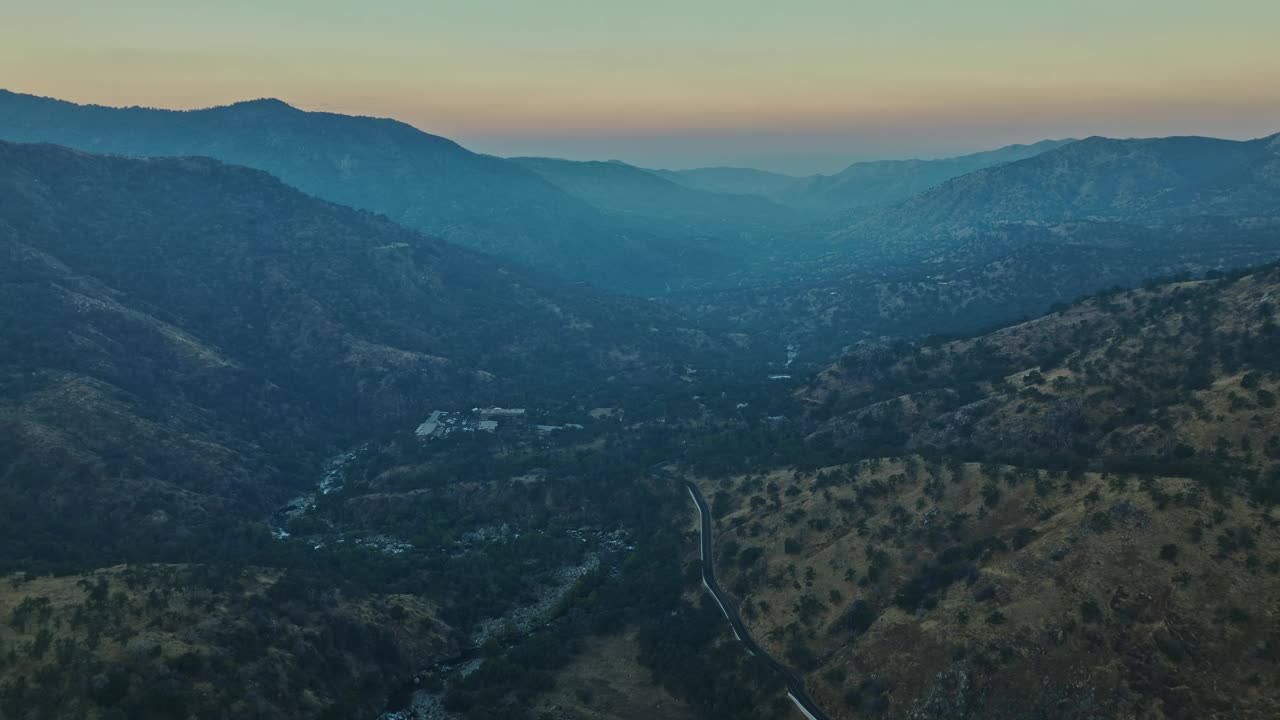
(1150, 183)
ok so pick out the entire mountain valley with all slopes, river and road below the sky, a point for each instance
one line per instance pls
(318, 416)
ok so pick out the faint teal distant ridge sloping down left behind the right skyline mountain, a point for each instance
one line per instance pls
(886, 183)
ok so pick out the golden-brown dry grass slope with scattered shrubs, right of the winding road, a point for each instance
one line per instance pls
(917, 590)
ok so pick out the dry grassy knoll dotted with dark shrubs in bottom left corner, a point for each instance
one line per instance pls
(170, 641)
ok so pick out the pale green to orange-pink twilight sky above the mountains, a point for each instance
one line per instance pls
(801, 86)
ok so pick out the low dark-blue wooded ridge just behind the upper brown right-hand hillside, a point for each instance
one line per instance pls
(995, 277)
